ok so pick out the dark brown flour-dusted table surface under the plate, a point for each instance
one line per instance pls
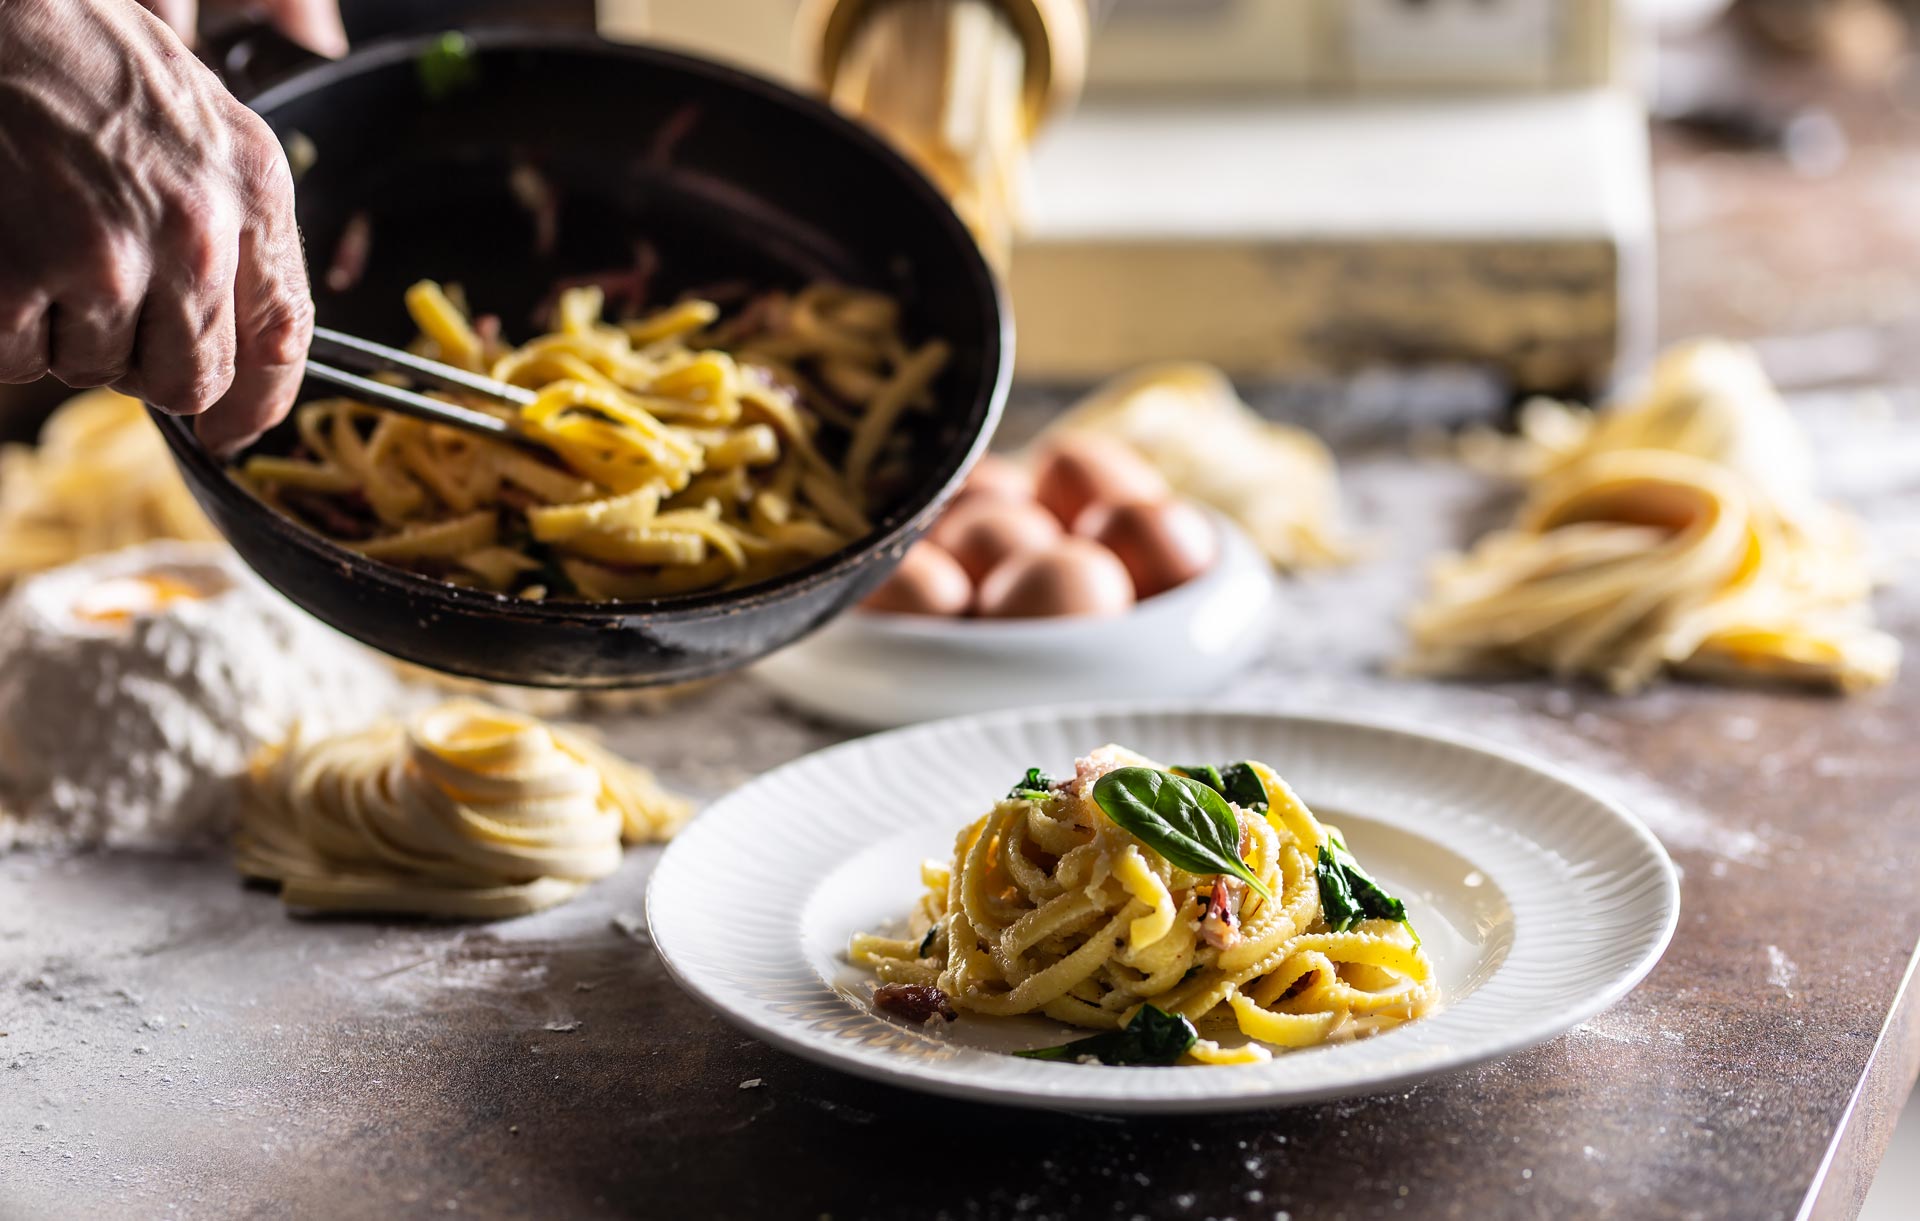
(176, 1045)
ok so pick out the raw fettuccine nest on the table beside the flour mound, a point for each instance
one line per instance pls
(468, 811)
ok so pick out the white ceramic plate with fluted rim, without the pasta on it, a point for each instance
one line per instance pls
(1541, 903)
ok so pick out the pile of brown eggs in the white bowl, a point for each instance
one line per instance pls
(1092, 529)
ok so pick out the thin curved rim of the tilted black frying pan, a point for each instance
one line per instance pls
(997, 350)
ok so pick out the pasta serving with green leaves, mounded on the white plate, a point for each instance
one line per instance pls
(1157, 905)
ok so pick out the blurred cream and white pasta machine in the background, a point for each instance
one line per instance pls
(1297, 189)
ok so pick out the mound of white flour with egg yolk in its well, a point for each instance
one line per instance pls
(133, 732)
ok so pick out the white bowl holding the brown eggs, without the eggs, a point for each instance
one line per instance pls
(880, 671)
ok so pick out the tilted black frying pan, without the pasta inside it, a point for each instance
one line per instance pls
(729, 178)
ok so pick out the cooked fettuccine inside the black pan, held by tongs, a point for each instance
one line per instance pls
(694, 454)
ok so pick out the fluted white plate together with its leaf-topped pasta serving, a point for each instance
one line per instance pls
(1362, 909)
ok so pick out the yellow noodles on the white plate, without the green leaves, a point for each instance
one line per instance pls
(1049, 907)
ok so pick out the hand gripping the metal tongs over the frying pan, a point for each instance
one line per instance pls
(149, 237)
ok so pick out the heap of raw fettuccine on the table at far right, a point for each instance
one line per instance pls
(1679, 533)
